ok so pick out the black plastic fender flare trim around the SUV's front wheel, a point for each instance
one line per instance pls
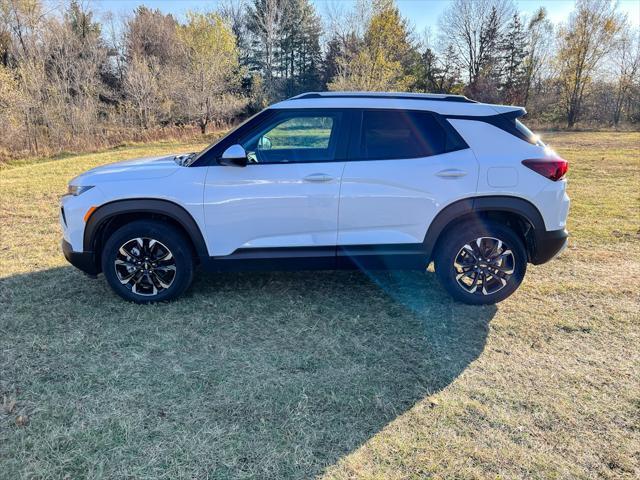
(143, 205)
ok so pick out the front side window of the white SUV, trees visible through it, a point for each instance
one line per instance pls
(294, 138)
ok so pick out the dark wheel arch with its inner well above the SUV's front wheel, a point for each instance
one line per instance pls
(108, 217)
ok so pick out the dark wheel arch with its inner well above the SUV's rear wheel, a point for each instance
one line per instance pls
(516, 212)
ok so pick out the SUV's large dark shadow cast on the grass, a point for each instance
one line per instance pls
(266, 375)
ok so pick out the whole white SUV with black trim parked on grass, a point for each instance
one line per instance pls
(331, 180)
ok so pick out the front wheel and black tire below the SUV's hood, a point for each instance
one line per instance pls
(158, 281)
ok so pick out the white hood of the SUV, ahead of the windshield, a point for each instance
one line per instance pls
(137, 169)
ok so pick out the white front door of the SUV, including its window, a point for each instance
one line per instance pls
(288, 194)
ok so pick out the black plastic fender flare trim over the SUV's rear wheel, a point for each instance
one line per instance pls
(469, 206)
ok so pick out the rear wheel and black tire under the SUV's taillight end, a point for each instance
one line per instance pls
(460, 262)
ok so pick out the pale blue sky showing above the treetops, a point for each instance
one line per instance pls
(422, 14)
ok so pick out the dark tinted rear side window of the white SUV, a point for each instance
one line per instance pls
(403, 134)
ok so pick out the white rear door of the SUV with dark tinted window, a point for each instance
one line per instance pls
(406, 166)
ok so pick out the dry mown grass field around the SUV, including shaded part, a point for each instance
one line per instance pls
(336, 375)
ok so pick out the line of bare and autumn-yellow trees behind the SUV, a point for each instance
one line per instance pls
(71, 82)
